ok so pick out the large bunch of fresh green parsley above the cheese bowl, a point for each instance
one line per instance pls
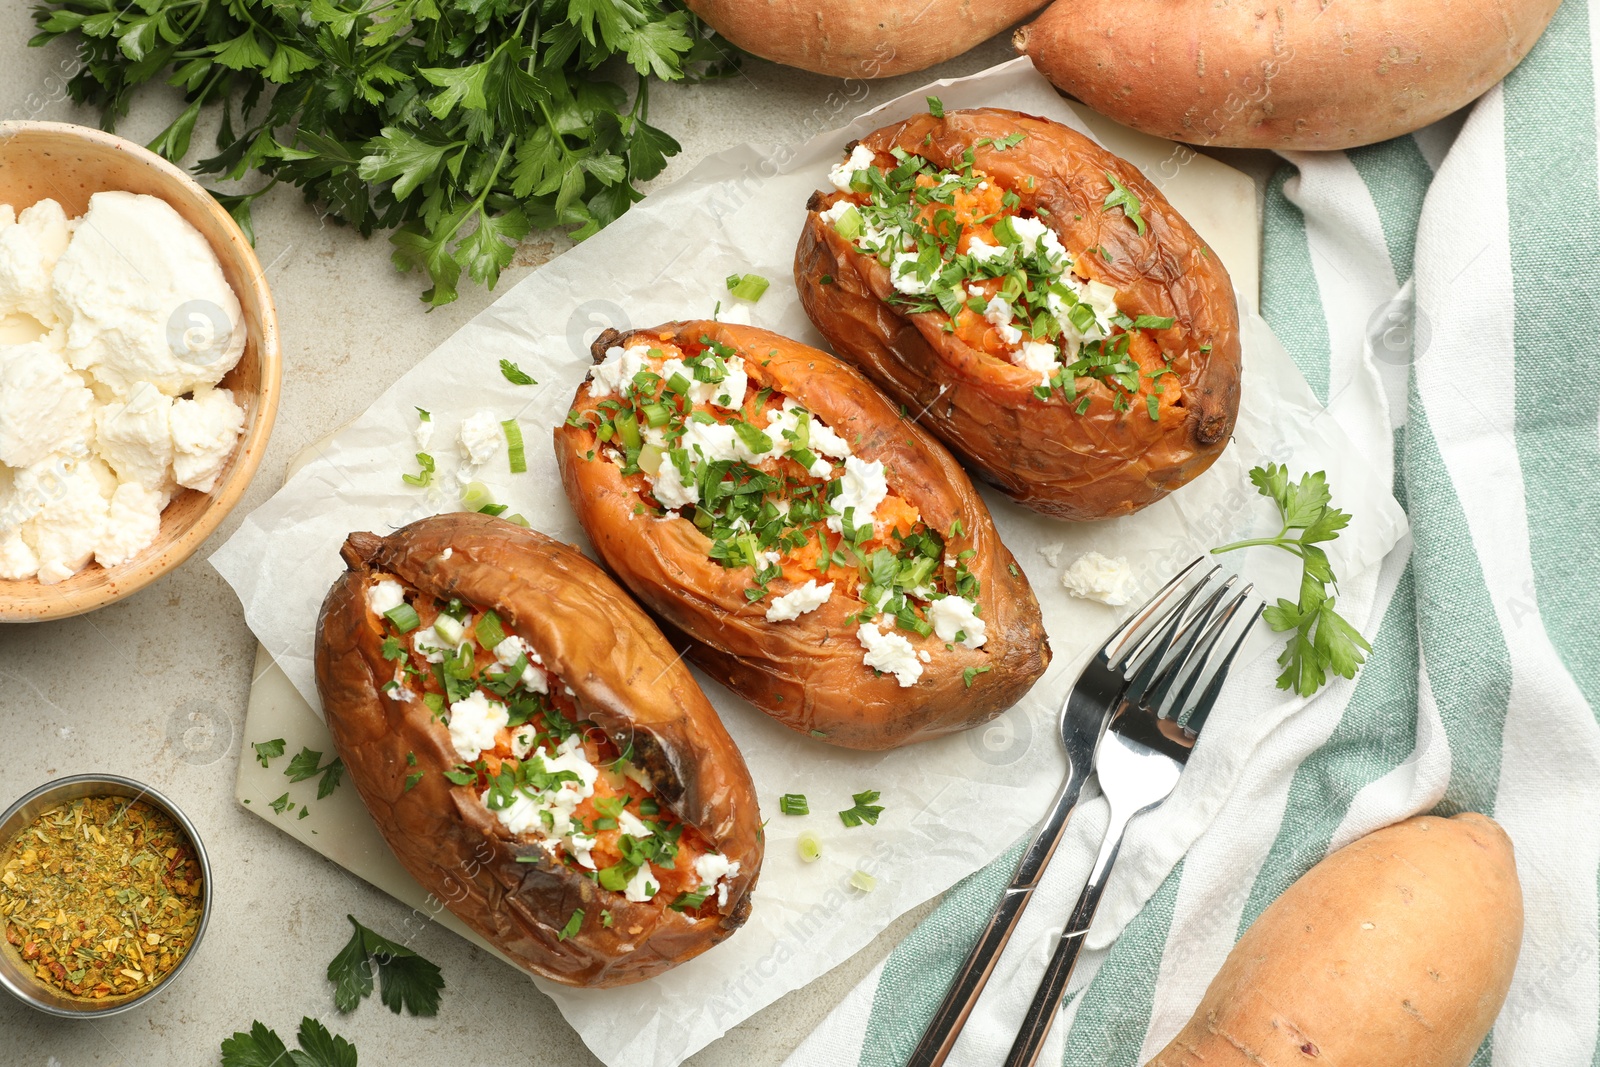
(457, 124)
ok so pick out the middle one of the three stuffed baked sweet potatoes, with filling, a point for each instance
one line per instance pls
(825, 557)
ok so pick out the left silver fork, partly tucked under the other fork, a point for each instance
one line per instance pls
(1094, 697)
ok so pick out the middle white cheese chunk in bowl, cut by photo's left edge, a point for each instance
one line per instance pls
(44, 406)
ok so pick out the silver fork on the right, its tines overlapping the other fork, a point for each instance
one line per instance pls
(1177, 677)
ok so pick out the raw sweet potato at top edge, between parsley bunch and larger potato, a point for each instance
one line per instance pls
(860, 41)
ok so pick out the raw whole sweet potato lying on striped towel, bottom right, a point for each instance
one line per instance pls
(1398, 949)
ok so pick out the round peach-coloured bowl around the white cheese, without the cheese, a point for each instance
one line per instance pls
(70, 164)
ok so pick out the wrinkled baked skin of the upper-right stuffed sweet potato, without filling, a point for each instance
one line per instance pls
(1049, 458)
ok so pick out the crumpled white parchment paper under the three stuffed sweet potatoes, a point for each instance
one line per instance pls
(950, 805)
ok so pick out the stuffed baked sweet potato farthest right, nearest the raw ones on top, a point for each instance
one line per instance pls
(1034, 300)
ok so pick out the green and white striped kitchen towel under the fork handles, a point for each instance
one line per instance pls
(1442, 295)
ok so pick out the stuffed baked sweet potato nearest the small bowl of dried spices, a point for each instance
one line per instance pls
(534, 751)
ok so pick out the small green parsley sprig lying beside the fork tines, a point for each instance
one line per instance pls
(1321, 639)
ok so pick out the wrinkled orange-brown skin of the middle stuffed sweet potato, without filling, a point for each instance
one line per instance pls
(807, 674)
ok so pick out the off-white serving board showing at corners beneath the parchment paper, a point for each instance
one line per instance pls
(1218, 201)
